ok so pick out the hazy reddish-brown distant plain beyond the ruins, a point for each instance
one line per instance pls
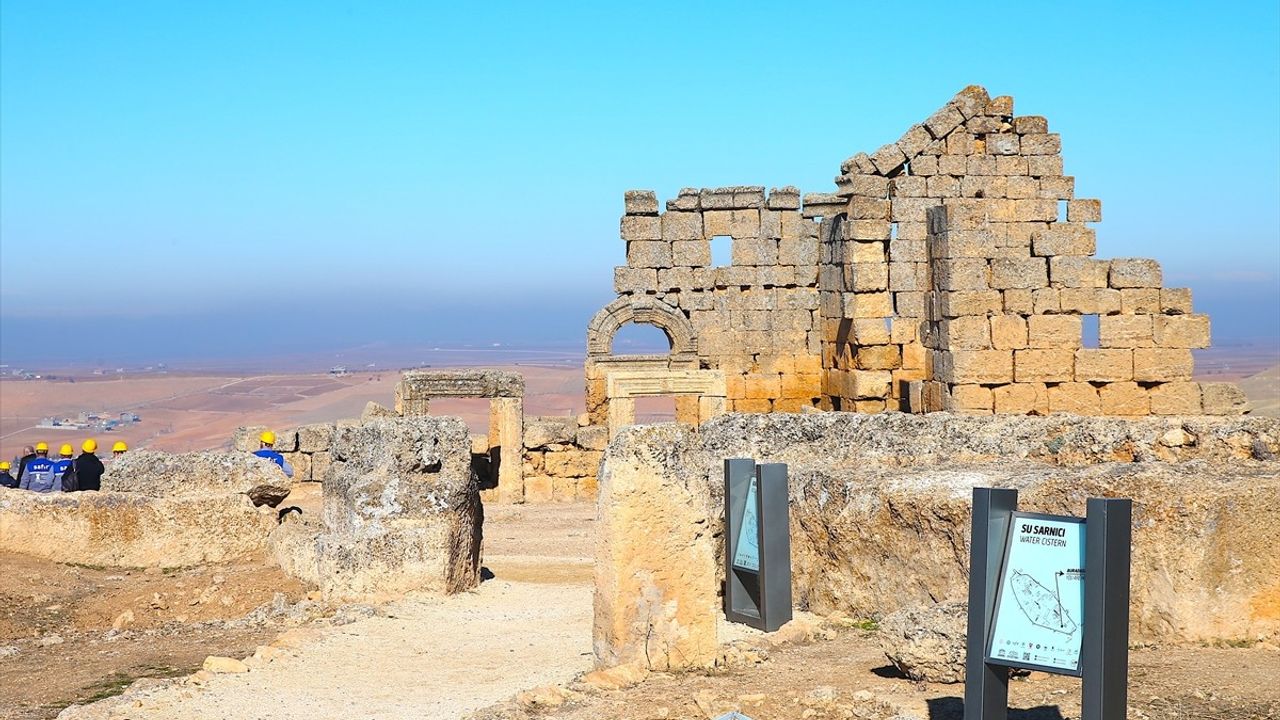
(198, 409)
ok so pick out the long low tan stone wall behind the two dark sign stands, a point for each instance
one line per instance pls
(880, 514)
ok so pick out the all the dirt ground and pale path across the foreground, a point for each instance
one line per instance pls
(468, 657)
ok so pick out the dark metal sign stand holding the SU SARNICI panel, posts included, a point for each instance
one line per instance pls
(1101, 616)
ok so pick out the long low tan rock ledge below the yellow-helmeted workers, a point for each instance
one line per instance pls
(118, 530)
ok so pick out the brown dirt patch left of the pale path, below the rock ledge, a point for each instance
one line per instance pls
(70, 634)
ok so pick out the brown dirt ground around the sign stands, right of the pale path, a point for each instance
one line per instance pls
(849, 677)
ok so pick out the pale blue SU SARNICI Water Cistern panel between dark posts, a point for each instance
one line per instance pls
(1040, 604)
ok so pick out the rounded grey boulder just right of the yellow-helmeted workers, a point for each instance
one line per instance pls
(186, 475)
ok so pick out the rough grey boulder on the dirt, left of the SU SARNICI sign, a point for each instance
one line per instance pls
(927, 642)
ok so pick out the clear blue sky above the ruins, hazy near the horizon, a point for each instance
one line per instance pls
(358, 172)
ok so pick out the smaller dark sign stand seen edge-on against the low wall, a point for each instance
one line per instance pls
(757, 545)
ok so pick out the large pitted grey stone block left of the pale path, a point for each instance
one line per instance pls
(401, 511)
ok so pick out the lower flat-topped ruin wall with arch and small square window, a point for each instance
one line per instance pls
(756, 318)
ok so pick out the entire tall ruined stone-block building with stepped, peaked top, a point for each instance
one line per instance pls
(952, 270)
